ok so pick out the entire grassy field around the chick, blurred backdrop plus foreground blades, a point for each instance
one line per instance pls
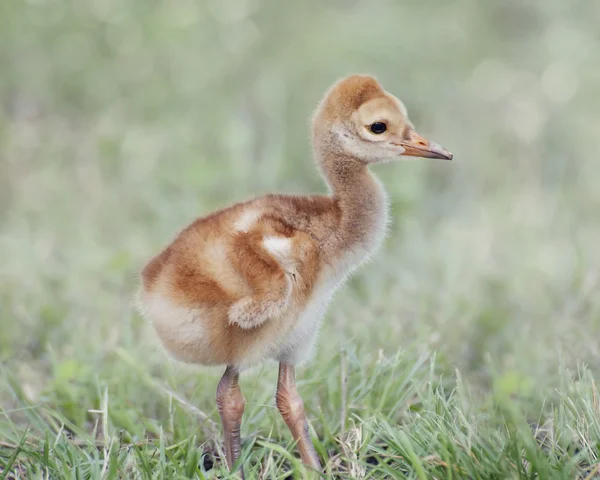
(466, 349)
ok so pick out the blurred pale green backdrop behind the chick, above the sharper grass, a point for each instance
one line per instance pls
(122, 121)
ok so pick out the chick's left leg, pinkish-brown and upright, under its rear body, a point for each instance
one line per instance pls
(231, 402)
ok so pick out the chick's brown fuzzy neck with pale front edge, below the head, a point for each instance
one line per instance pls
(361, 201)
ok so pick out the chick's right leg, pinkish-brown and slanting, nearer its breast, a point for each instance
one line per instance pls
(291, 407)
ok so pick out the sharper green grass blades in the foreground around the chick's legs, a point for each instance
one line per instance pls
(398, 419)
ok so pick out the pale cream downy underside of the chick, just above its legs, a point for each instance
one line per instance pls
(194, 335)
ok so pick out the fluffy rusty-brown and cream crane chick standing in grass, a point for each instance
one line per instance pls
(251, 282)
